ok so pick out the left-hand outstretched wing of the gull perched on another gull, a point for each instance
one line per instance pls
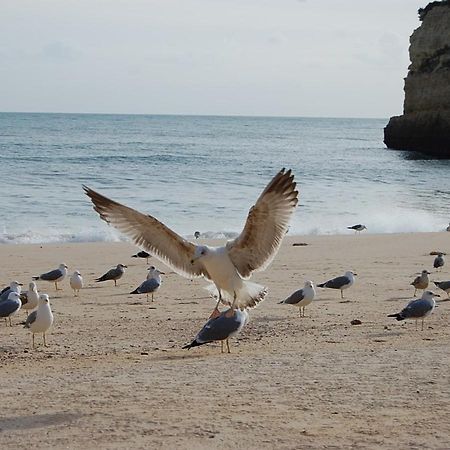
(150, 233)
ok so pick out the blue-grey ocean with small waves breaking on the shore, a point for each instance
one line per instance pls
(205, 172)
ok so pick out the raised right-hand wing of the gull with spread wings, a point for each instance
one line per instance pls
(266, 225)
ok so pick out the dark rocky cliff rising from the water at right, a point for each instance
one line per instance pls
(425, 123)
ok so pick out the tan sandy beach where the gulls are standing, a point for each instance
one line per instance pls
(114, 374)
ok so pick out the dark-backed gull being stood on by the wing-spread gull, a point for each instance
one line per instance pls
(227, 324)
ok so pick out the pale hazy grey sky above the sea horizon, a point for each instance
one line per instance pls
(333, 58)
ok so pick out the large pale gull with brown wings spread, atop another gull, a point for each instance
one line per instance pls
(228, 267)
